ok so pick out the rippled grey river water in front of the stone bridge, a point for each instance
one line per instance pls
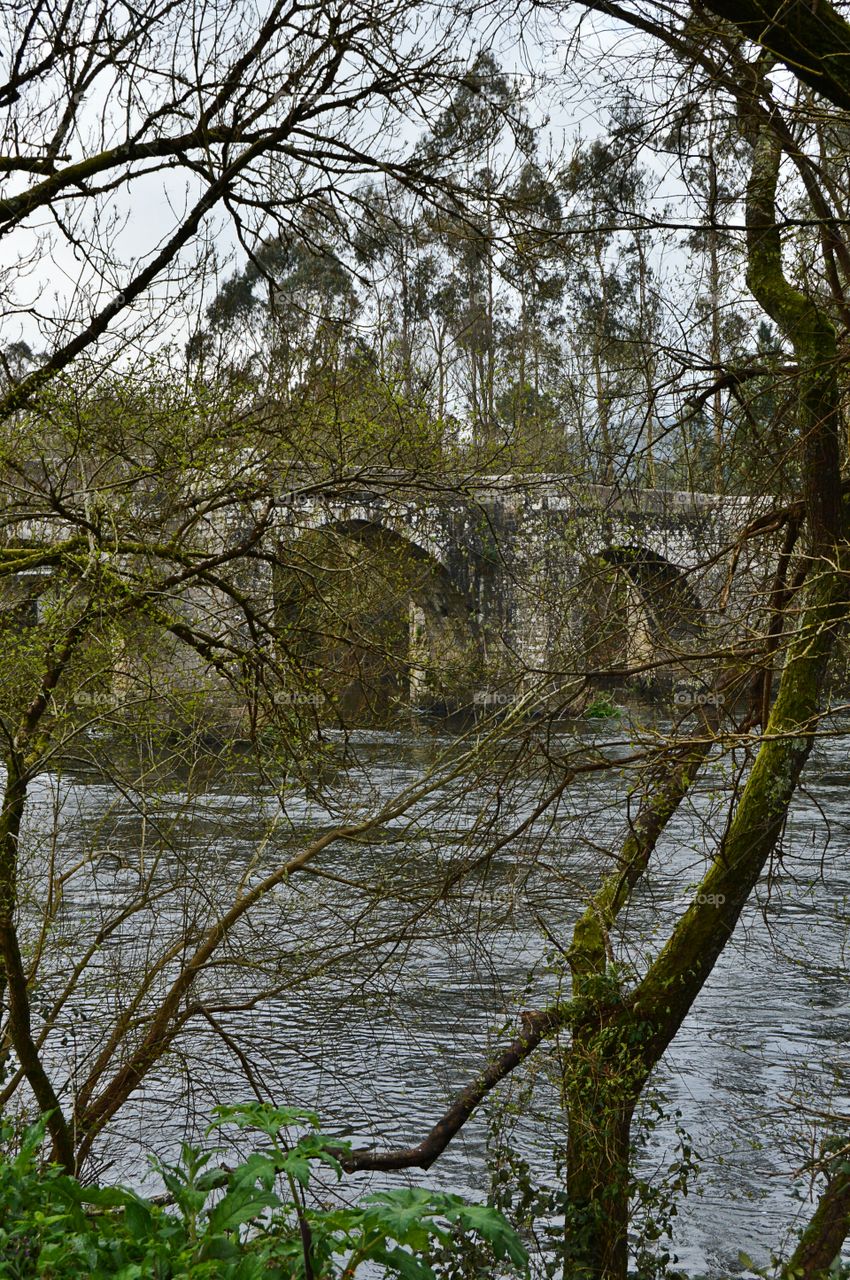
(383, 1011)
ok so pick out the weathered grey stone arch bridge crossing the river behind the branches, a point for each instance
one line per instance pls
(386, 591)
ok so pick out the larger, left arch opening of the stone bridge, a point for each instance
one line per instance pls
(377, 616)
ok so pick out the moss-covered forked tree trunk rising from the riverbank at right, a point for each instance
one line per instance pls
(620, 1035)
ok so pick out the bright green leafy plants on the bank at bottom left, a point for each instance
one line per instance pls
(243, 1224)
